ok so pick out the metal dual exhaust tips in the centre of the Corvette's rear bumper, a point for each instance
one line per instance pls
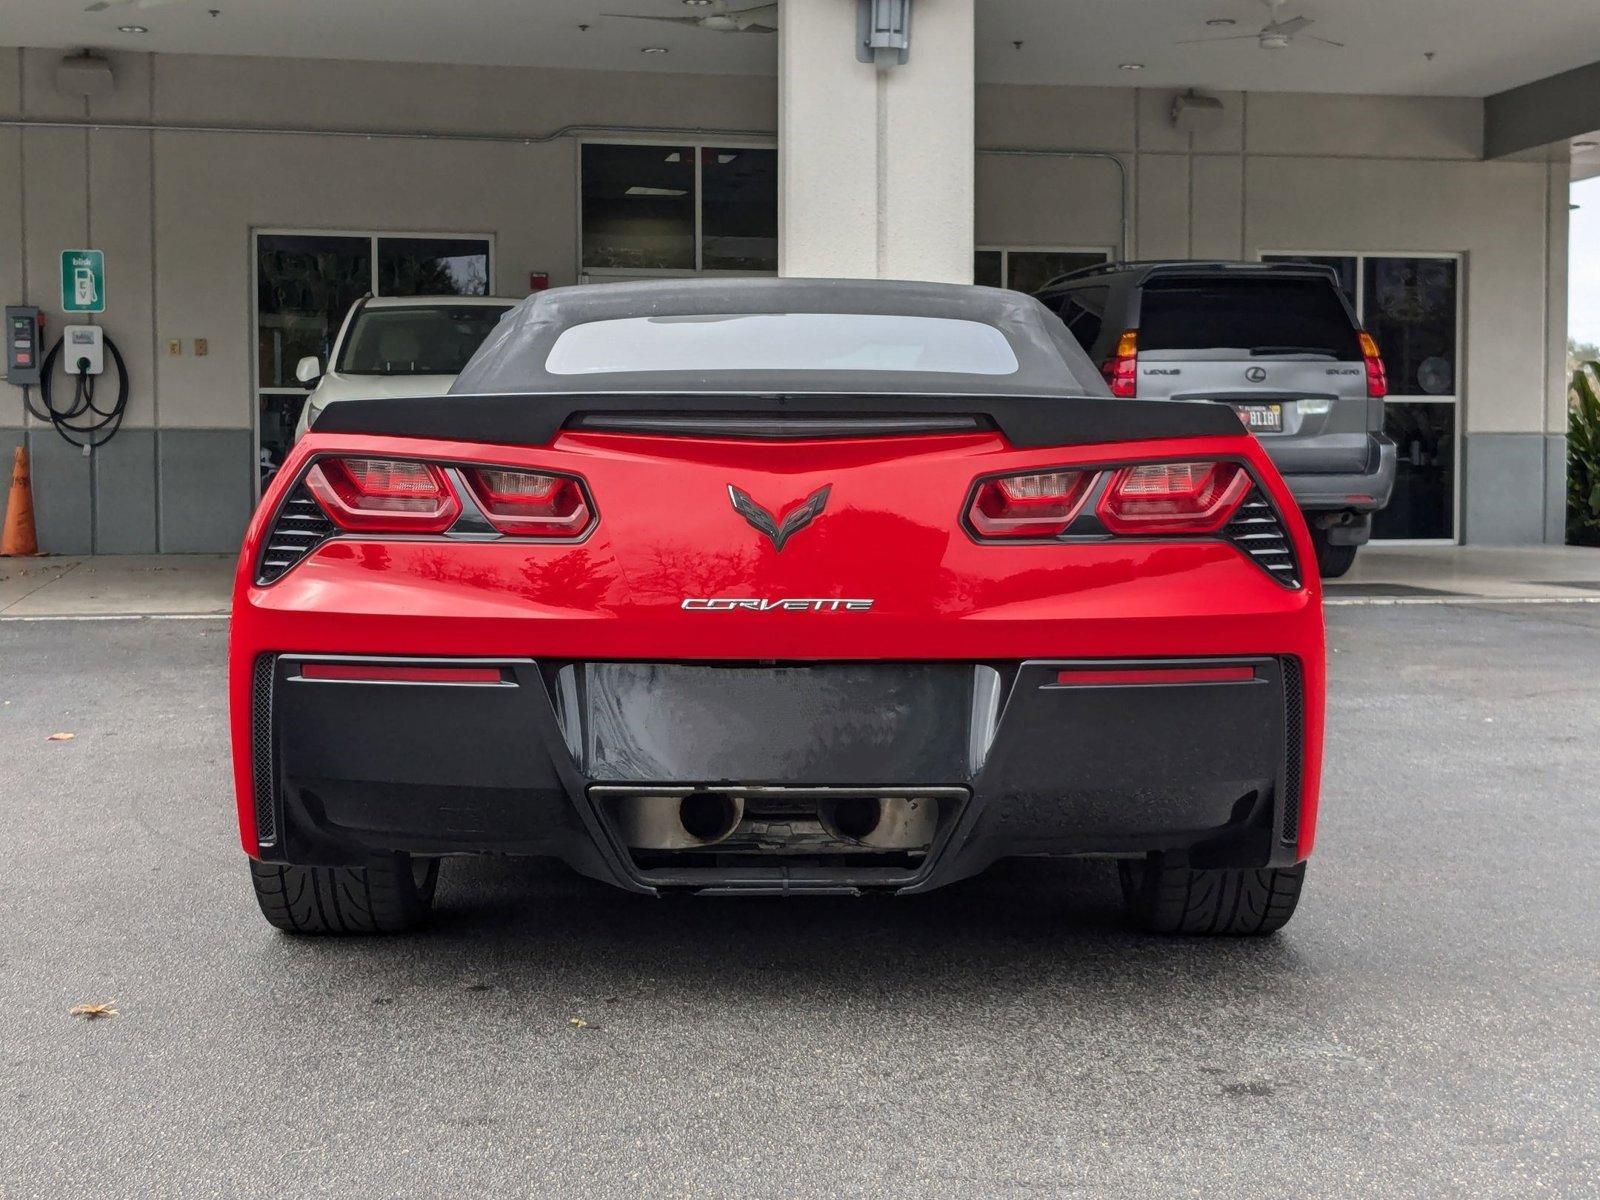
(702, 820)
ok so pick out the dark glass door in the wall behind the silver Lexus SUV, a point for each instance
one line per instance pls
(1412, 306)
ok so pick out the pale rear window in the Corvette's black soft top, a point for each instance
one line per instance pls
(783, 342)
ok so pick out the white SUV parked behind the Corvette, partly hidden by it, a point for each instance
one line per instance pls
(399, 346)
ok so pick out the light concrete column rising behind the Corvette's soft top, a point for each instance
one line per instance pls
(876, 162)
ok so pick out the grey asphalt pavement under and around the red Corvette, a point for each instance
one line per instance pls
(1426, 1026)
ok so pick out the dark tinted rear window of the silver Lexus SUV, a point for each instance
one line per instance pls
(1257, 316)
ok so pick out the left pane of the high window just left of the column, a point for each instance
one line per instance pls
(639, 207)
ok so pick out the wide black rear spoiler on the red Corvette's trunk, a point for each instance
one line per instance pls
(534, 420)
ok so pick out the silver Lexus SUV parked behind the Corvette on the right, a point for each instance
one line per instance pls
(1274, 340)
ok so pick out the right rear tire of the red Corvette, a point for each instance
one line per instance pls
(1169, 897)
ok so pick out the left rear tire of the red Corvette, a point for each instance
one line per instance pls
(393, 894)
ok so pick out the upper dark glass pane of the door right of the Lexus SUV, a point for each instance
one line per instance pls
(1410, 308)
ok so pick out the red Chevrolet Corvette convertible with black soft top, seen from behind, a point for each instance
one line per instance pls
(778, 586)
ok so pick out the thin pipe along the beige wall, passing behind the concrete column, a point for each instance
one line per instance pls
(542, 140)
